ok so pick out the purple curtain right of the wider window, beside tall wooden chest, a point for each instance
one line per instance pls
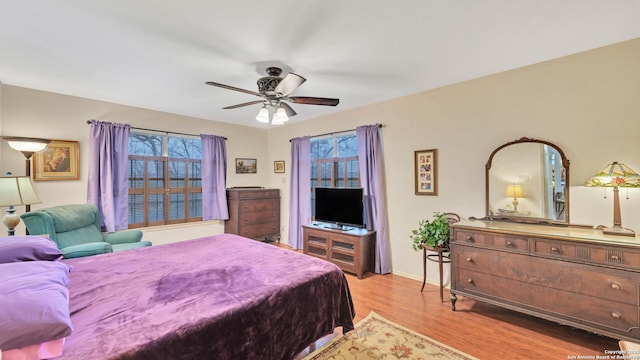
(214, 178)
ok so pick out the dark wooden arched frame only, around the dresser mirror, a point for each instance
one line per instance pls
(523, 219)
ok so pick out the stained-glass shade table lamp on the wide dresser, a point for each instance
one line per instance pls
(616, 175)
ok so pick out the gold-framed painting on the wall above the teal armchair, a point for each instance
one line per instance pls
(60, 160)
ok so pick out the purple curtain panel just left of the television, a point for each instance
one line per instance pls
(300, 190)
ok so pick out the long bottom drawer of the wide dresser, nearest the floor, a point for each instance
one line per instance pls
(561, 303)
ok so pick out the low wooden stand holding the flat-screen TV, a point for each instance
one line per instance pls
(352, 250)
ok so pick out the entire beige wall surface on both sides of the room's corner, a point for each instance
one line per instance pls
(587, 104)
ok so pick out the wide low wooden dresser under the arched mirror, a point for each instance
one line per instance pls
(573, 276)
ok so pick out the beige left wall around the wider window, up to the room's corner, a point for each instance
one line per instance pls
(27, 112)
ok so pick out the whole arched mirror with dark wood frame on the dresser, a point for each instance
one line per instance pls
(527, 181)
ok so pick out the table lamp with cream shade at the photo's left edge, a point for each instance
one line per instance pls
(15, 191)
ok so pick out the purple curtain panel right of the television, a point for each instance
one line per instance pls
(372, 179)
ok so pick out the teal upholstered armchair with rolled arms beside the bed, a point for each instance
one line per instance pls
(75, 229)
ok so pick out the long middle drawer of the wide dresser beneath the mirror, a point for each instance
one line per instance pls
(581, 279)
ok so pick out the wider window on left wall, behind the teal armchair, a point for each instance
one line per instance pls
(165, 181)
